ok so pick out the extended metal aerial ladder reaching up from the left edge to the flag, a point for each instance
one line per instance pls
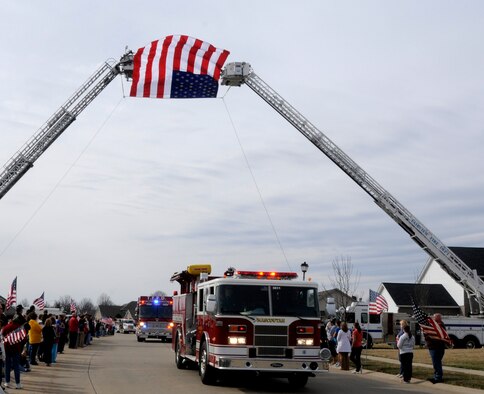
(24, 159)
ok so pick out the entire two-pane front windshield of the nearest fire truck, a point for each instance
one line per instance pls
(254, 300)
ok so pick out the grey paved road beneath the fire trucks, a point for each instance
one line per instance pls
(120, 364)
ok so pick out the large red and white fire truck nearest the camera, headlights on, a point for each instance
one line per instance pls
(246, 321)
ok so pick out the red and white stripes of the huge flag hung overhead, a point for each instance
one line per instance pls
(154, 65)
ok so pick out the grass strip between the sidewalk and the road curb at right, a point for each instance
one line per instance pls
(454, 378)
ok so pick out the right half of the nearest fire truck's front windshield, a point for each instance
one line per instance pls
(294, 301)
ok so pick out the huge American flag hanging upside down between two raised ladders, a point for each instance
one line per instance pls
(177, 66)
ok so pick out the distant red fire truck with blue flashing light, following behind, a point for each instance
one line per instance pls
(154, 318)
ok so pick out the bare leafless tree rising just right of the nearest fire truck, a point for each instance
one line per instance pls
(346, 279)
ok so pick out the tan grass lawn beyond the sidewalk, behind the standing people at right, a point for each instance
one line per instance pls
(460, 358)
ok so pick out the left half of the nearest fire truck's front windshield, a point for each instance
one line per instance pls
(243, 300)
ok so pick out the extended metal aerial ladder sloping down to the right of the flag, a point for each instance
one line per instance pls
(236, 74)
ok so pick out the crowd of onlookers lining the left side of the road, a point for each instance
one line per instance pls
(40, 338)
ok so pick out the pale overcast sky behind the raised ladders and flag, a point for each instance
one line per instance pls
(137, 189)
